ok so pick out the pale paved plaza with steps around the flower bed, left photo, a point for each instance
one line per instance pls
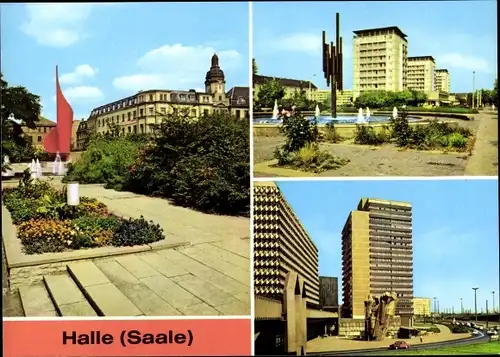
(208, 274)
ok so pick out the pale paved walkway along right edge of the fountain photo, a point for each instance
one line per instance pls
(484, 159)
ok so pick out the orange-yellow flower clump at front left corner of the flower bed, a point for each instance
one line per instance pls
(46, 235)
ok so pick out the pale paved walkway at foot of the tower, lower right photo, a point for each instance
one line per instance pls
(340, 344)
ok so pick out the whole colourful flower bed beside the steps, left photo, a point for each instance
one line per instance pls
(45, 223)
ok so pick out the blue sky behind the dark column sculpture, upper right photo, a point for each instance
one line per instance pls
(460, 35)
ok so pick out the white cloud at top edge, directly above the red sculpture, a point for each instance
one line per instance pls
(57, 25)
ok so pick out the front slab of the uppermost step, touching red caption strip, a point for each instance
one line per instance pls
(108, 300)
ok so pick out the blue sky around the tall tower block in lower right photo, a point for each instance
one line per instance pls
(455, 231)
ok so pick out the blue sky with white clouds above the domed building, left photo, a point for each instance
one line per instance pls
(108, 51)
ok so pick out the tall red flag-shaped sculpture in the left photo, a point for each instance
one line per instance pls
(58, 140)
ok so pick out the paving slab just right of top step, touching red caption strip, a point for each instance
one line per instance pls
(147, 300)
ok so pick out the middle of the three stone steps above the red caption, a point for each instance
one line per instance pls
(68, 299)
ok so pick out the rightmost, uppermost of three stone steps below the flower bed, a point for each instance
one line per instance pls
(105, 298)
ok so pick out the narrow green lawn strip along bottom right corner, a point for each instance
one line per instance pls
(472, 349)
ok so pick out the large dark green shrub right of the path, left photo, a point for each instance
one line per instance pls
(203, 164)
